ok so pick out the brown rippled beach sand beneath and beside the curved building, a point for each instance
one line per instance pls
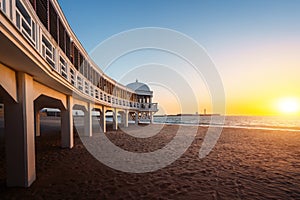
(245, 164)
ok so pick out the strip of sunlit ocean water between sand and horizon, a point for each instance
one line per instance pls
(254, 122)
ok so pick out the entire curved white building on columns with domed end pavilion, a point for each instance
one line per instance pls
(44, 65)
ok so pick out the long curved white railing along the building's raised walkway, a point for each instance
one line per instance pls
(34, 32)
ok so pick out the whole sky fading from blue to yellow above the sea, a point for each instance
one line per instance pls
(254, 44)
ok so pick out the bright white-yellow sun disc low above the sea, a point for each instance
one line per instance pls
(288, 105)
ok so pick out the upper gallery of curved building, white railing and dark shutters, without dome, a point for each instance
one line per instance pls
(72, 64)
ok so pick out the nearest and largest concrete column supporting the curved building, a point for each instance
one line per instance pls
(19, 135)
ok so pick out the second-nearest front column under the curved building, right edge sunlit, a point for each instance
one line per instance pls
(67, 139)
